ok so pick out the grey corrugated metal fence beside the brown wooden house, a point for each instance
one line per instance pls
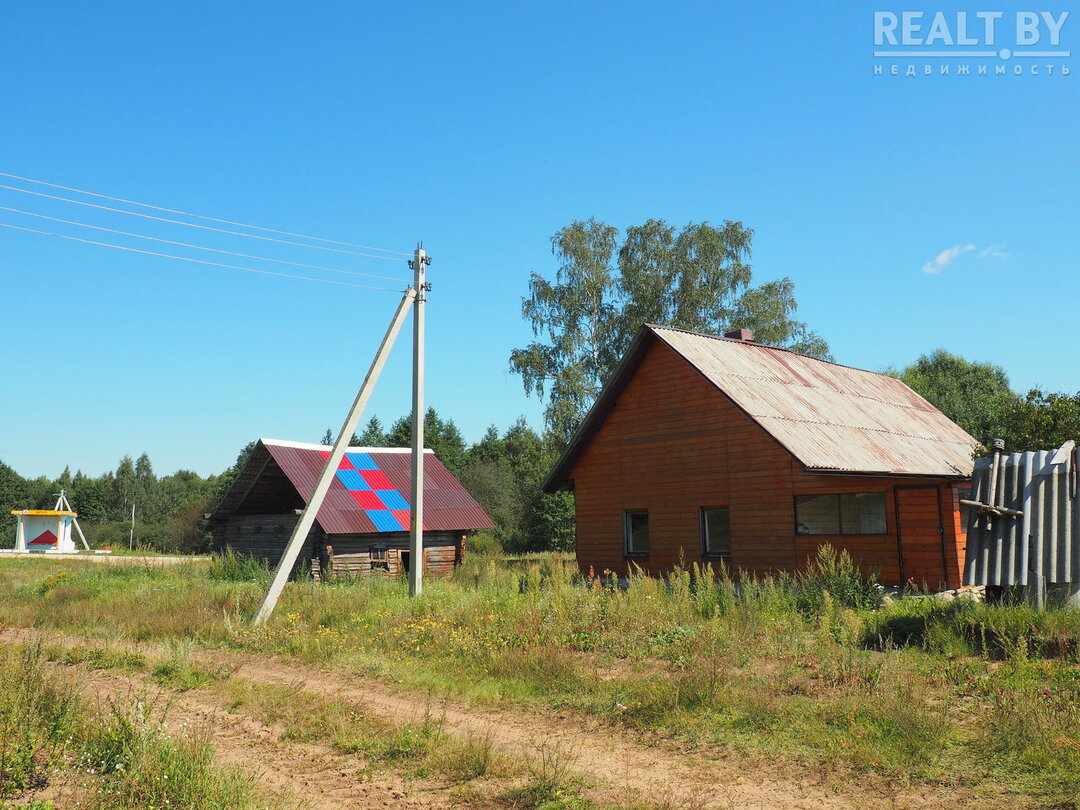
(1039, 548)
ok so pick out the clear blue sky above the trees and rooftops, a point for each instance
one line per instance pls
(481, 129)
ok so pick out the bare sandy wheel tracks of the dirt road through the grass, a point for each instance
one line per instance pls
(624, 771)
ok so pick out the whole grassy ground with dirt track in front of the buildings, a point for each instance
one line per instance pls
(517, 684)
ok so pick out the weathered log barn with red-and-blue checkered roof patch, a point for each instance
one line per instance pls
(363, 524)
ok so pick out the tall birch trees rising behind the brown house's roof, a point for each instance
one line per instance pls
(696, 278)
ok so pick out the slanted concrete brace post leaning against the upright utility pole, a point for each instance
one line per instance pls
(304, 525)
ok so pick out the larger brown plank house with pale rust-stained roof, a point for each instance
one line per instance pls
(721, 449)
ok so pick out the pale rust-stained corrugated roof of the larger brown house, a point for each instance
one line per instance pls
(830, 417)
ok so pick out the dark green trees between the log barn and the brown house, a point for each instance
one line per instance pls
(504, 472)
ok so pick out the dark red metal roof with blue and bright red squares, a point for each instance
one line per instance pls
(370, 493)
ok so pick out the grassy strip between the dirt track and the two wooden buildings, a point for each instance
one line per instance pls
(811, 670)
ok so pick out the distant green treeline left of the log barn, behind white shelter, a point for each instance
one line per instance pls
(169, 510)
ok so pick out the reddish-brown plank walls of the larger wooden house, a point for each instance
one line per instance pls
(673, 444)
